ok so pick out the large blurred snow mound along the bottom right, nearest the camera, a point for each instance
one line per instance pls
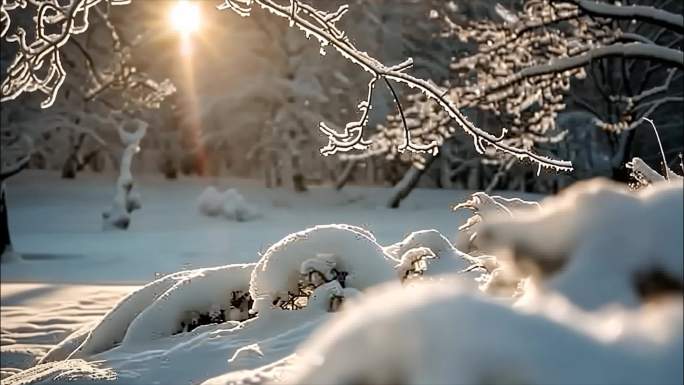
(441, 333)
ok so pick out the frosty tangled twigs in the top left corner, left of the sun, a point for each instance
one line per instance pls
(37, 64)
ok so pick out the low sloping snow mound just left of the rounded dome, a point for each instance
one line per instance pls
(158, 309)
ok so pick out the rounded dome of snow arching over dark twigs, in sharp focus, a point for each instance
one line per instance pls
(328, 250)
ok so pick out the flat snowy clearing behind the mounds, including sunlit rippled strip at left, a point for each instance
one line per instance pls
(72, 272)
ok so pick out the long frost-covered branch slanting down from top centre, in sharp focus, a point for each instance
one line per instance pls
(322, 26)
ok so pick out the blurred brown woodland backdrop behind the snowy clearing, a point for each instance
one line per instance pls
(251, 92)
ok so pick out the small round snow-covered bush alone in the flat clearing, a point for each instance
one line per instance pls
(230, 204)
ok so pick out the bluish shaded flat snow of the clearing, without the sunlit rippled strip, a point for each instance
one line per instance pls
(58, 224)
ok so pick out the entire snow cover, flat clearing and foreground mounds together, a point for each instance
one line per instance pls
(584, 289)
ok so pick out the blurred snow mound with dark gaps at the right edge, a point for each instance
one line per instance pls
(599, 243)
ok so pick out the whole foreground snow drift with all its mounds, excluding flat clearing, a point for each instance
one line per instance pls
(586, 266)
